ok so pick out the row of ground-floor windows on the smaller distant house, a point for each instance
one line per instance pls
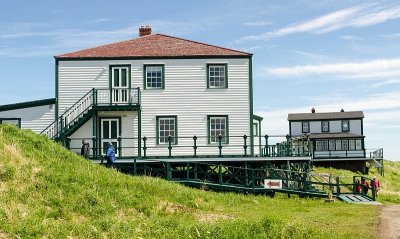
(338, 145)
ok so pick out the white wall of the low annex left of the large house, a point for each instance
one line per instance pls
(35, 118)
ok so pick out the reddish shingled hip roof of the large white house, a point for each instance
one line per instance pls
(154, 46)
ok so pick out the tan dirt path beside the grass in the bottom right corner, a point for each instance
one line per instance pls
(389, 222)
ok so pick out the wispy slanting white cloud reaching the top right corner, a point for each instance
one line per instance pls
(353, 17)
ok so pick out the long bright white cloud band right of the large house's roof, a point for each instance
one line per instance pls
(373, 69)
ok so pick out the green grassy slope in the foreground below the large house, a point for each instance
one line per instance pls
(47, 191)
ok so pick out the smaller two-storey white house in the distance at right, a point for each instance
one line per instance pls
(334, 136)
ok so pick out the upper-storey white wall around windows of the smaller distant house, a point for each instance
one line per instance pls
(335, 126)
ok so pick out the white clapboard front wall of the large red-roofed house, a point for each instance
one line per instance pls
(185, 96)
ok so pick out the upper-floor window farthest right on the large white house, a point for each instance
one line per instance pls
(217, 76)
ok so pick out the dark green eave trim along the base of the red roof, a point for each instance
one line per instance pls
(150, 58)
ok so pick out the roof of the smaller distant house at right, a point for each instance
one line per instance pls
(326, 116)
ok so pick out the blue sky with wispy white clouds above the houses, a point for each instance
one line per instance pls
(323, 54)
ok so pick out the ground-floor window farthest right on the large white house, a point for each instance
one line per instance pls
(218, 125)
